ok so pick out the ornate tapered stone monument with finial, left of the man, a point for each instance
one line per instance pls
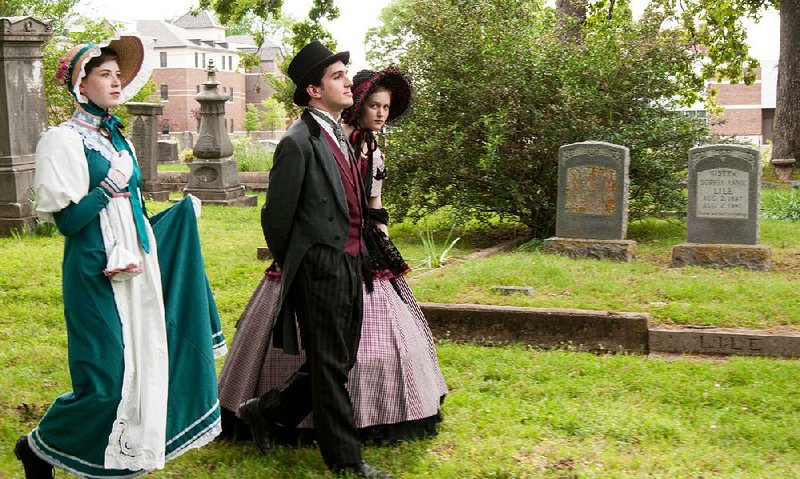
(213, 175)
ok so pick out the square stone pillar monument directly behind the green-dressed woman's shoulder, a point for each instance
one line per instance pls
(144, 136)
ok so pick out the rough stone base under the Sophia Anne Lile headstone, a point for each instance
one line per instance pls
(755, 257)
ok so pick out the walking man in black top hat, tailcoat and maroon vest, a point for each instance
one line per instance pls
(312, 222)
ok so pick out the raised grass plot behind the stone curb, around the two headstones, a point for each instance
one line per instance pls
(691, 295)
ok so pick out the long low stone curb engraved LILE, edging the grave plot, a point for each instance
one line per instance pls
(598, 331)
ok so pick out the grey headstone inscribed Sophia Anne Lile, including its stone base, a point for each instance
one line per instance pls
(723, 223)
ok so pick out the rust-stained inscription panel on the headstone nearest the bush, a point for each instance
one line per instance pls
(591, 190)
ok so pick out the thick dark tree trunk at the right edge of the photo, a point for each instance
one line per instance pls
(786, 132)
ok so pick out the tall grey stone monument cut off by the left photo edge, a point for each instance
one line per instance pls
(23, 118)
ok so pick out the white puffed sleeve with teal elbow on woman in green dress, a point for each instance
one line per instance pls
(61, 182)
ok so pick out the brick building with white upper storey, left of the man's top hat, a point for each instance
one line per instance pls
(185, 48)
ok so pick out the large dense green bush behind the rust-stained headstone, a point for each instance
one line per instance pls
(498, 91)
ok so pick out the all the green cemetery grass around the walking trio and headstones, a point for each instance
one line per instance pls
(512, 412)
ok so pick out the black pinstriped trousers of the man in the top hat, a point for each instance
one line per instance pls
(326, 295)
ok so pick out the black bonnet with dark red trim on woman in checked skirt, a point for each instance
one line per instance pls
(366, 81)
